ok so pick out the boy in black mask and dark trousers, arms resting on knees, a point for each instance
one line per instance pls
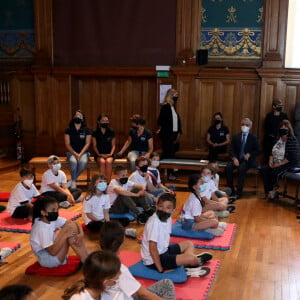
(126, 195)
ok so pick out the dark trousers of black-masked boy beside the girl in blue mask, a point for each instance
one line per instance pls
(125, 203)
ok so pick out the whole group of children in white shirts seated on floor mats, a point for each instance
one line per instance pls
(200, 212)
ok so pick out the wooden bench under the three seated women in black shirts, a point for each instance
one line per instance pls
(41, 163)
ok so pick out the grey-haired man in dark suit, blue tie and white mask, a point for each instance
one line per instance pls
(244, 149)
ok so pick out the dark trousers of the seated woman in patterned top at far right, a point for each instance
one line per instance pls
(271, 176)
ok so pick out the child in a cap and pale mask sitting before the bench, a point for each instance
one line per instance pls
(54, 184)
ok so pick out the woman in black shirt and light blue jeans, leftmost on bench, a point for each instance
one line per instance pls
(77, 140)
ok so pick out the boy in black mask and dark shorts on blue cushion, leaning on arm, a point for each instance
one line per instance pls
(156, 251)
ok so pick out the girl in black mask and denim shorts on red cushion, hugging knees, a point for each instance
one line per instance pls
(51, 249)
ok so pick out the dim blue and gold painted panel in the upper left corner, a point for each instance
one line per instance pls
(16, 29)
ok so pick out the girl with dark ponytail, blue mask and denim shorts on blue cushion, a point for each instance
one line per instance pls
(192, 216)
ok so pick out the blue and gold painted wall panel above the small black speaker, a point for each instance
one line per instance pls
(232, 28)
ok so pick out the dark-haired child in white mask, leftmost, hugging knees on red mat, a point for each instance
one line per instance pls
(19, 203)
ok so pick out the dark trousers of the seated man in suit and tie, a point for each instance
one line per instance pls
(243, 167)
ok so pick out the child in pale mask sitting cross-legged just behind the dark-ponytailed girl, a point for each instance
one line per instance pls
(214, 201)
